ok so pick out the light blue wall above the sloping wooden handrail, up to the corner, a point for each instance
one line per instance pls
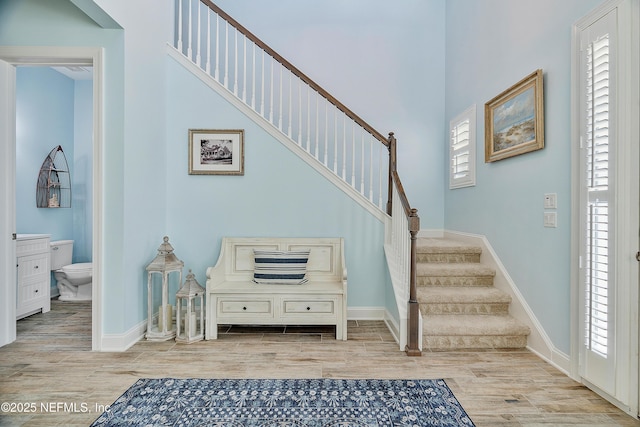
(385, 62)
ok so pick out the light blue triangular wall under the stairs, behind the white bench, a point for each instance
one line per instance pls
(279, 195)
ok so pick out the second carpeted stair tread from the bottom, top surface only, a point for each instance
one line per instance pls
(464, 295)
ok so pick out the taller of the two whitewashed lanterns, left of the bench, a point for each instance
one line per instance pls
(161, 328)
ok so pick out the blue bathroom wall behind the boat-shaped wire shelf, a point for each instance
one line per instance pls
(44, 120)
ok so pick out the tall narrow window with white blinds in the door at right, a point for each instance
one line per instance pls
(597, 280)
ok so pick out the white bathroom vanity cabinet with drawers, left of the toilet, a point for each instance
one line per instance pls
(33, 262)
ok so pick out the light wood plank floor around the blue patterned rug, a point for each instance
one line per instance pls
(51, 365)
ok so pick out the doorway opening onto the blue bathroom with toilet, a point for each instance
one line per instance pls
(54, 113)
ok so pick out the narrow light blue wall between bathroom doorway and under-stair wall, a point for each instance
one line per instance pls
(141, 207)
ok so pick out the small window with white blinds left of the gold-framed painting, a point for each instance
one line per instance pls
(462, 142)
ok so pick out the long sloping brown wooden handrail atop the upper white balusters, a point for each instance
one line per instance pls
(249, 35)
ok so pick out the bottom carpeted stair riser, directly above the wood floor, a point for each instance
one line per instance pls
(435, 343)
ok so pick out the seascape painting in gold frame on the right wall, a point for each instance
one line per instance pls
(514, 120)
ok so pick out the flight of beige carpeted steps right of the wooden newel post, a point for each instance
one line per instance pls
(460, 306)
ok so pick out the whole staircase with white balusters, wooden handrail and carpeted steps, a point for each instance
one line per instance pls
(461, 308)
